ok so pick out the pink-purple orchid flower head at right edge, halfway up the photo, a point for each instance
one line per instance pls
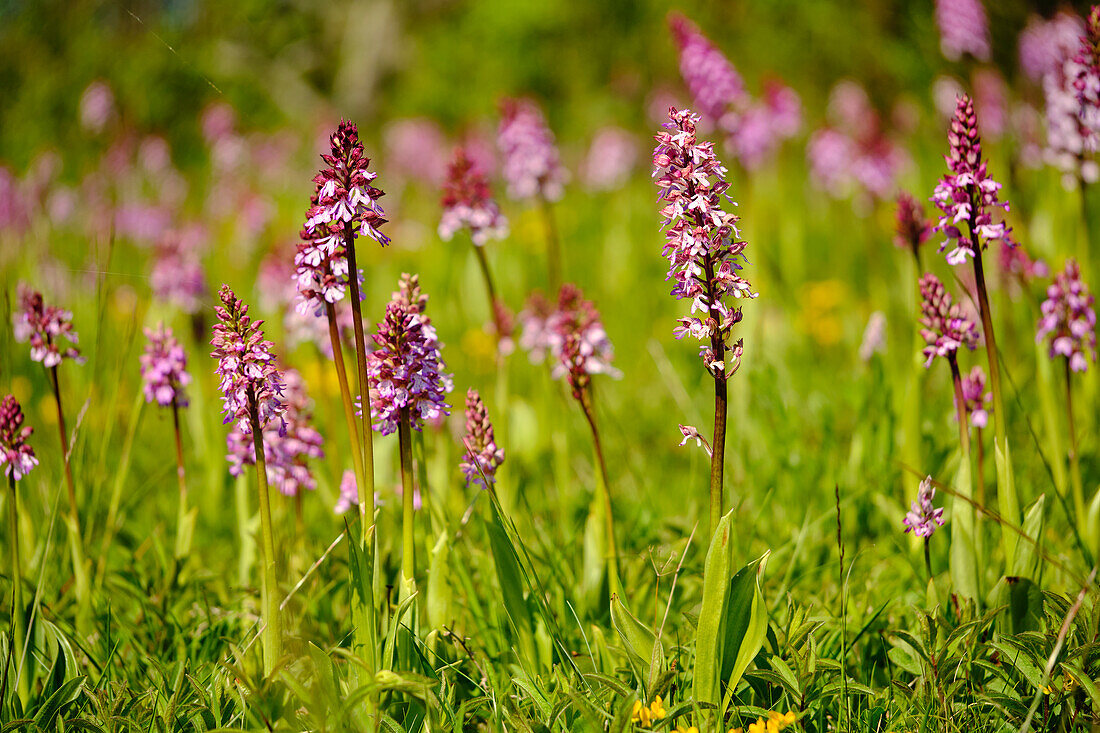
(1069, 320)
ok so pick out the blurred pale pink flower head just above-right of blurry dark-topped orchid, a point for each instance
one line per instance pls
(532, 167)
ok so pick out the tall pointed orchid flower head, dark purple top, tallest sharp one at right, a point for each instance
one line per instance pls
(967, 193)
